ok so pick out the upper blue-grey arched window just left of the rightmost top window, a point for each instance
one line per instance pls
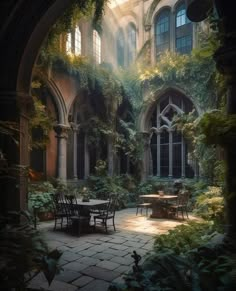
(162, 31)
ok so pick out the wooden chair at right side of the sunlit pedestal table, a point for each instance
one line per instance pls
(180, 205)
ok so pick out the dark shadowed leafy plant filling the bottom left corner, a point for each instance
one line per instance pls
(23, 252)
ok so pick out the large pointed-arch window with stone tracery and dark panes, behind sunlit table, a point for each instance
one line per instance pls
(169, 151)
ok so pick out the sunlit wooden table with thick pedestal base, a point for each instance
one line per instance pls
(158, 201)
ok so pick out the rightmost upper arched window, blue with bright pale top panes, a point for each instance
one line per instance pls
(183, 31)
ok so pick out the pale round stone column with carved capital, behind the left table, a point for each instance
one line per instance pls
(62, 135)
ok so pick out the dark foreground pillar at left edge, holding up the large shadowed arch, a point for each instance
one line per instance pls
(14, 108)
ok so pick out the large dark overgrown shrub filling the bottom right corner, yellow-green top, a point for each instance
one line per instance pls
(187, 258)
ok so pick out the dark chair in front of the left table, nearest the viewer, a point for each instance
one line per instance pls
(77, 219)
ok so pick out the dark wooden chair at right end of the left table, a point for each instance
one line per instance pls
(107, 214)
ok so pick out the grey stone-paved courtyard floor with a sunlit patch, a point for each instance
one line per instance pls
(93, 261)
